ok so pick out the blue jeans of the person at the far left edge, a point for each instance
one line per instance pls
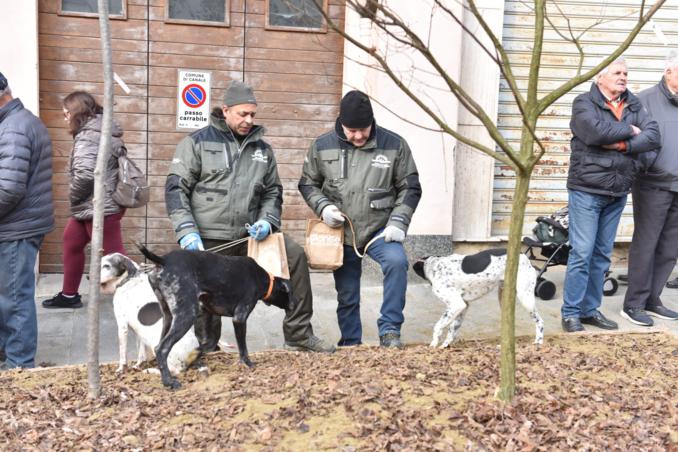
(18, 321)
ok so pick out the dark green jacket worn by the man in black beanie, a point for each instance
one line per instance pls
(376, 185)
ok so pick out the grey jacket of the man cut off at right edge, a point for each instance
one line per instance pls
(663, 106)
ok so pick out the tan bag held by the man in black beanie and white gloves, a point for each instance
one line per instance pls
(324, 245)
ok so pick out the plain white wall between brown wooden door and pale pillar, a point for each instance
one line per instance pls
(433, 151)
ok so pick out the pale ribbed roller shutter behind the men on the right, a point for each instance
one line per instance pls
(646, 62)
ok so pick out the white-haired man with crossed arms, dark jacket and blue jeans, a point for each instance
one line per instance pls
(613, 139)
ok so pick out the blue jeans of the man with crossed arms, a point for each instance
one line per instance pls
(593, 227)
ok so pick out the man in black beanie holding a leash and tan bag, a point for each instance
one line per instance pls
(367, 173)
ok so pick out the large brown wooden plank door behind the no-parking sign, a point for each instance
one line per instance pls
(296, 77)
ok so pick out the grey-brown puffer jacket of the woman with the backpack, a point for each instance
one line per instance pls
(82, 163)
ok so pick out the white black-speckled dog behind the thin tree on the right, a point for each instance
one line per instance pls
(459, 279)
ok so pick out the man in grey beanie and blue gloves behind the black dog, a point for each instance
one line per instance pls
(222, 186)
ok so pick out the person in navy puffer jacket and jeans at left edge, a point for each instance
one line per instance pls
(26, 215)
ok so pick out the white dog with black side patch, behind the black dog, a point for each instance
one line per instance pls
(136, 307)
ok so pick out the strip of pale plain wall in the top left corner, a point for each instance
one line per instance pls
(19, 49)
